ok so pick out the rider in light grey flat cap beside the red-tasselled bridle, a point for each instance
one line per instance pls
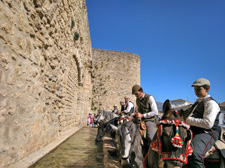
(204, 121)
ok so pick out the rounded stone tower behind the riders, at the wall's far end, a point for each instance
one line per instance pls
(114, 74)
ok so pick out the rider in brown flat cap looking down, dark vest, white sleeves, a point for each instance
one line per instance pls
(146, 109)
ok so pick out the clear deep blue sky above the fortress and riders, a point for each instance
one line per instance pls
(178, 41)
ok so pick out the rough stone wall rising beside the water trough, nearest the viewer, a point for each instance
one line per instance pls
(45, 75)
